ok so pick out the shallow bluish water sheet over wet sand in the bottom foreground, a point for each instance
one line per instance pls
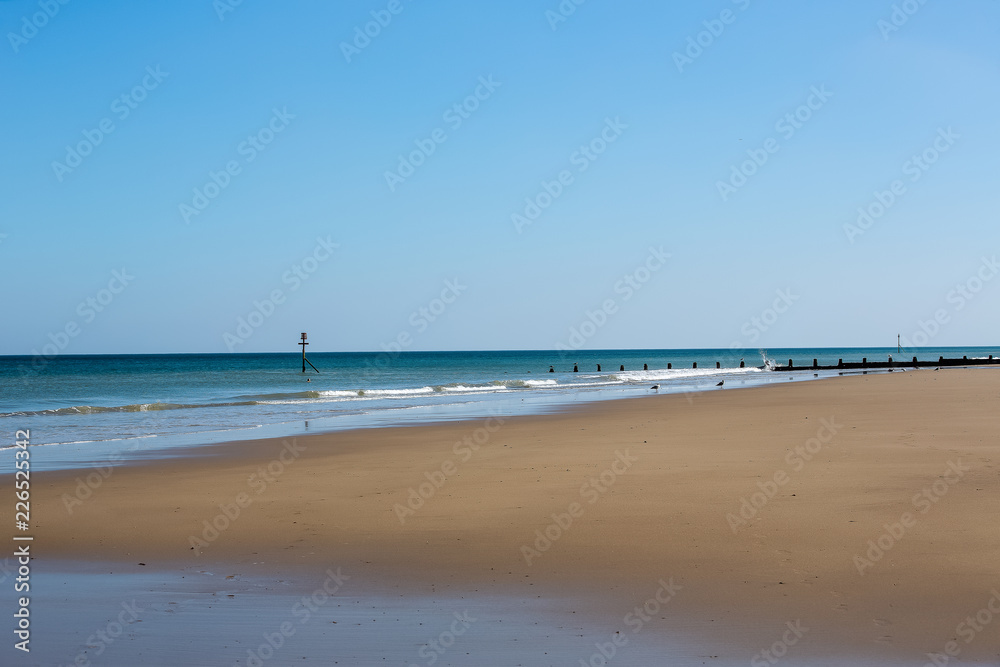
(104, 614)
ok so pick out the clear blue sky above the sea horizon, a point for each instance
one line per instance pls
(205, 150)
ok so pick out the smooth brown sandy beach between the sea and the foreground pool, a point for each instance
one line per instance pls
(846, 519)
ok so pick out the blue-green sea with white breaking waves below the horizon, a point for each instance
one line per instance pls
(86, 410)
